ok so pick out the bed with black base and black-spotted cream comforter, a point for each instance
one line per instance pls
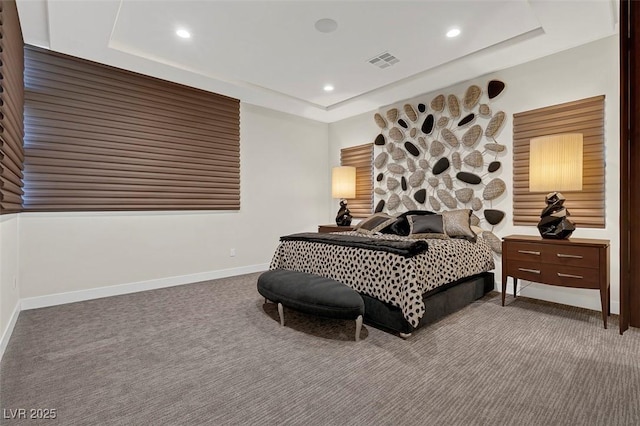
(401, 292)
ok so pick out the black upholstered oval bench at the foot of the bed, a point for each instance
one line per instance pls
(311, 294)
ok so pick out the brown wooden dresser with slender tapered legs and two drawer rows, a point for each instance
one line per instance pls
(576, 262)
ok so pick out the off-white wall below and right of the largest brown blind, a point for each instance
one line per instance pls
(284, 187)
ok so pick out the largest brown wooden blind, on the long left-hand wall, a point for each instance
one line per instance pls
(101, 138)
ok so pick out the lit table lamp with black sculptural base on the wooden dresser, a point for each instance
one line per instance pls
(555, 164)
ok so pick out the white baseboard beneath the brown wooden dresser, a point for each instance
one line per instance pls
(588, 299)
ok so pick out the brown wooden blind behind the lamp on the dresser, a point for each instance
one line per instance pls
(586, 116)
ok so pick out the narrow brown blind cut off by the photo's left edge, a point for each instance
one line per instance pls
(11, 108)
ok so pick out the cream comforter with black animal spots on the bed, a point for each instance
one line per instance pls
(389, 277)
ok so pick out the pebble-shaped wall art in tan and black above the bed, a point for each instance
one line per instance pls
(443, 154)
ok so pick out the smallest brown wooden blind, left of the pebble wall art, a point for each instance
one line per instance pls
(360, 157)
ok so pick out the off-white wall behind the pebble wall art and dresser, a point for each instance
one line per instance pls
(582, 72)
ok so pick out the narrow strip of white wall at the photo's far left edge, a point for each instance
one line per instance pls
(9, 295)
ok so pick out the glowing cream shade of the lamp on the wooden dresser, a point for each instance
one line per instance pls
(555, 163)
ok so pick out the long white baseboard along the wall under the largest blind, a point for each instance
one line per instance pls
(116, 290)
